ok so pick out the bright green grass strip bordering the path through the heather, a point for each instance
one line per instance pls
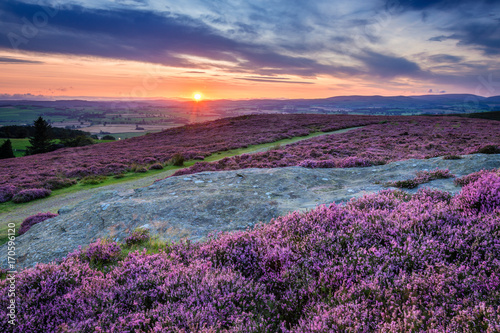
(168, 170)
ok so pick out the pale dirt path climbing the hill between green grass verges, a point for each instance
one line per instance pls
(55, 202)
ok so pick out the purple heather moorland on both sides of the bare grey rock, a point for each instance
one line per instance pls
(391, 261)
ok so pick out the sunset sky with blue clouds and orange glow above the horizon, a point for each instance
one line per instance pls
(234, 49)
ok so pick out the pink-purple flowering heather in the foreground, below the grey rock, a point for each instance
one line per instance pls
(386, 262)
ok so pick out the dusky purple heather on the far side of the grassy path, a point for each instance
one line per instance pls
(175, 145)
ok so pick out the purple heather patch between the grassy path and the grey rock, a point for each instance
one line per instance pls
(400, 139)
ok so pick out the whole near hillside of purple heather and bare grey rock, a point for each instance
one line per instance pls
(307, 237)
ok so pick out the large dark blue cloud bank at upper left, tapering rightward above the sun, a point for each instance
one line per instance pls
(145, 36)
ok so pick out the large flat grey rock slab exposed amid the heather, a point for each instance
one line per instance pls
(192, 207)
